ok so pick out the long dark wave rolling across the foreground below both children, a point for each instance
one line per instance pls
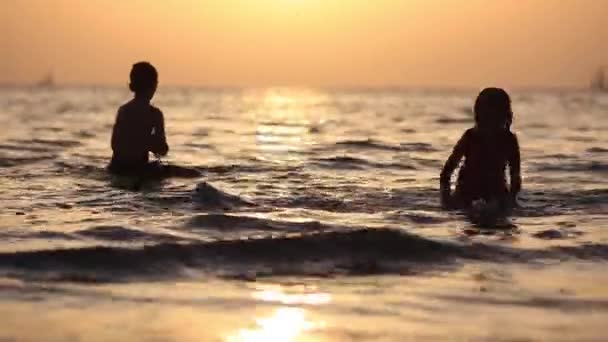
(356, 252)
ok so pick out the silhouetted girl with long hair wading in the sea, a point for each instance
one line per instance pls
(487, 149)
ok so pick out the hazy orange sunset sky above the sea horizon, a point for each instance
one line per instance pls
(307, 42)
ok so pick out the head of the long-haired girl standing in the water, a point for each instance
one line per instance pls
(493, 109)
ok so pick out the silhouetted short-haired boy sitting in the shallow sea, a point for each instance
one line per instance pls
(139, 128)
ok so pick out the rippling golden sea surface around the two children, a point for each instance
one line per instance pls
(319, 221)
